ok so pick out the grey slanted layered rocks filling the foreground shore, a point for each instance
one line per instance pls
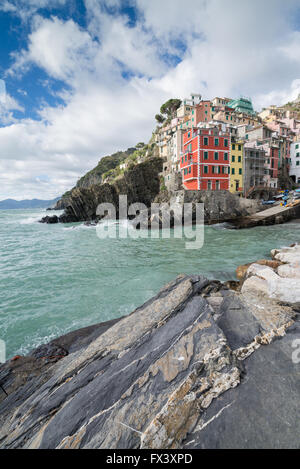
(201, 365)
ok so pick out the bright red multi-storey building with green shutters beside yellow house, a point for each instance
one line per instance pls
(205, 162)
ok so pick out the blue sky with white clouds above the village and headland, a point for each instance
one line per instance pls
(81, 79)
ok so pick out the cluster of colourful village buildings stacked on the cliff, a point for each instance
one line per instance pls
(223, 144)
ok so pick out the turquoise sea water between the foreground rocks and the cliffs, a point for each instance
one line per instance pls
(57, 278)
